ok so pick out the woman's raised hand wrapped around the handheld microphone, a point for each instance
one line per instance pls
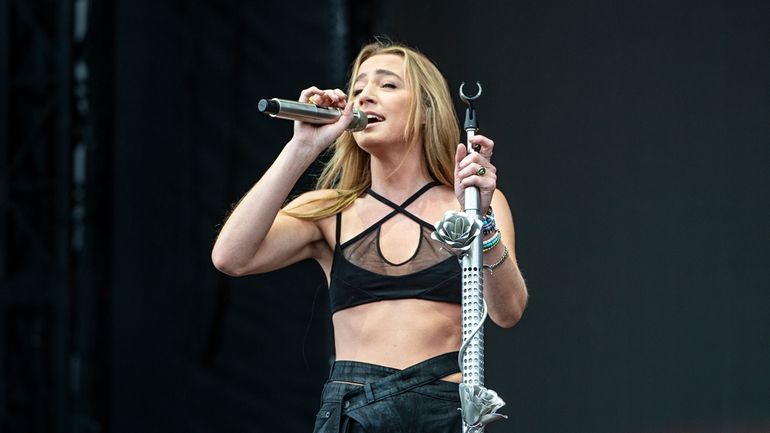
(319, 137)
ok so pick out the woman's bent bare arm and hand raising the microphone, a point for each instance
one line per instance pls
(256, 238)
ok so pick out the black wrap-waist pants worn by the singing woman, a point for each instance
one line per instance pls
(386, 400)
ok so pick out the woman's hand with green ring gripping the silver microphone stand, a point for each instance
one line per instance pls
(475, 169)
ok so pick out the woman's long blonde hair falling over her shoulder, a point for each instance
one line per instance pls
(432, 118)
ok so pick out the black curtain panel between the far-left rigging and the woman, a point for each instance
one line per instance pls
(193, 350)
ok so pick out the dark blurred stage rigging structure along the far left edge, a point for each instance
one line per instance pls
(48, 271)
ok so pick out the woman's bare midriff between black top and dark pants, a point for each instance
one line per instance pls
(397, 333)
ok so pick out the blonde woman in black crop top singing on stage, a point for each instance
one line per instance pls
(395, 292)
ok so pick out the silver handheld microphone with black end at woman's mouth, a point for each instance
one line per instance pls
(310, 113)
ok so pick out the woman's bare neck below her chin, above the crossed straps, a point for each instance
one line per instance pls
(397, 174)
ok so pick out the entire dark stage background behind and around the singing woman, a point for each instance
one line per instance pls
(632, 142)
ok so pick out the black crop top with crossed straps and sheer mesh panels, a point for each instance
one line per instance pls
(361, 274)
